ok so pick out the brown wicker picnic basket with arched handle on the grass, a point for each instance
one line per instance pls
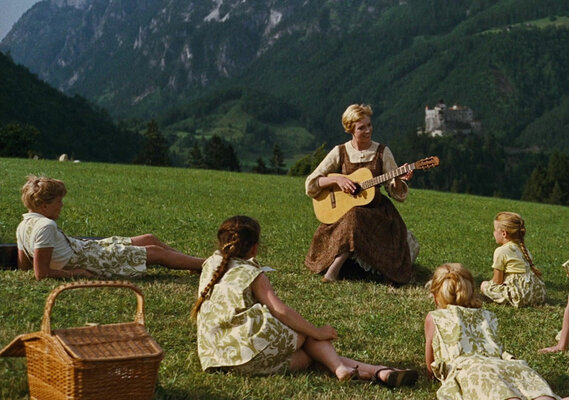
(114, 361)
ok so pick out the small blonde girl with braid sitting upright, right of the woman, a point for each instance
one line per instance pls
(516, 280)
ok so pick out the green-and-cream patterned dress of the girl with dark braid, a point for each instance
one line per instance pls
(236, 332)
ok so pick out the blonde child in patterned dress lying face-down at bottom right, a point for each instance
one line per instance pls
(462, 348)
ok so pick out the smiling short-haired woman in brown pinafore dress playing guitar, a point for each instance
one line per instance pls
(374, 235)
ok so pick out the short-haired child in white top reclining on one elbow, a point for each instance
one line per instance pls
(51, 253)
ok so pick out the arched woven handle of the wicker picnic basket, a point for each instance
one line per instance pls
(46, 321)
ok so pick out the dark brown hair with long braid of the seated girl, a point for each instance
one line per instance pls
(236, 237)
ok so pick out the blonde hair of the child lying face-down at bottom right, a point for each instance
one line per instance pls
(453, 284)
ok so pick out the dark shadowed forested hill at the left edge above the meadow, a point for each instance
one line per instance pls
(36, 119)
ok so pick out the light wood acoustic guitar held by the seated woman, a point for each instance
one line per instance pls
(332, 203)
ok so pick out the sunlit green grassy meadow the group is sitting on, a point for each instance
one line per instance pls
(377, 323)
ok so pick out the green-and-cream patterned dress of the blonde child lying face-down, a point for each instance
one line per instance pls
(471, 363)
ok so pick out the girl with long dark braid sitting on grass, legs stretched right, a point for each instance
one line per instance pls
(243, 327)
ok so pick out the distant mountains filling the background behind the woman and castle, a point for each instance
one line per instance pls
(196, 65)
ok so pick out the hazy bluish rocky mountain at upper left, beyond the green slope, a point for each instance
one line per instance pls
(133, 55)
